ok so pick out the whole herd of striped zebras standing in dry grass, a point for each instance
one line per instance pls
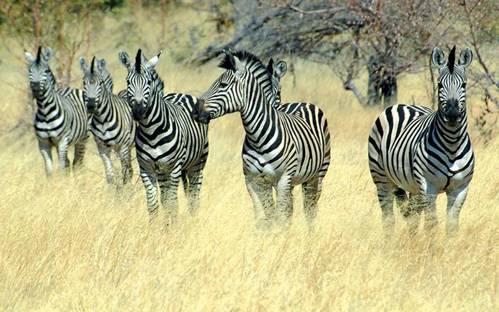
(414, 153)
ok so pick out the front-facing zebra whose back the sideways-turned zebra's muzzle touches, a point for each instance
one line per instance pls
(170, 145)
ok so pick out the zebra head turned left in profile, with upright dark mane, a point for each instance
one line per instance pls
(235, 89)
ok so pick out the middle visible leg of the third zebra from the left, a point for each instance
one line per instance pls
(168, 185)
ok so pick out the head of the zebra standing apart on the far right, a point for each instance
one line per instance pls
(452, 84)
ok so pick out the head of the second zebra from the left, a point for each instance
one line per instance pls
(93, 85)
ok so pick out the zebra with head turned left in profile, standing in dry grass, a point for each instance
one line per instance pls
(284, 146)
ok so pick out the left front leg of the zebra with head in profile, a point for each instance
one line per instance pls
(261, 195)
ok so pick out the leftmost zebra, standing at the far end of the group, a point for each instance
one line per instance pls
(61, 117)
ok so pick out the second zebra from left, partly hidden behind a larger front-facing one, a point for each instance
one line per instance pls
(112, 124)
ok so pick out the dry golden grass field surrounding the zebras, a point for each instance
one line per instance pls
(74, 243)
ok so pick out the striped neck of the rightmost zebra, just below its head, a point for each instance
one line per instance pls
(450, 138)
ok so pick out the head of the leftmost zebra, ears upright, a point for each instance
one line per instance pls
(40, 76)
